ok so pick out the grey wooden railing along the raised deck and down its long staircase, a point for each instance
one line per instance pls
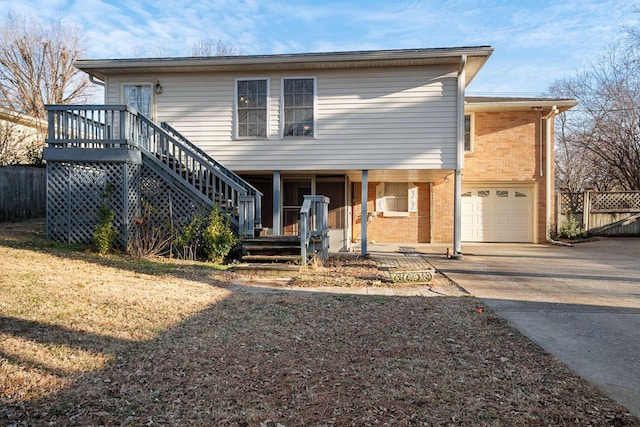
(121, 127)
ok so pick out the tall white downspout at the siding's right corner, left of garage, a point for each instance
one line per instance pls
(457, 190)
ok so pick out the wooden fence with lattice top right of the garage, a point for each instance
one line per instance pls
(605, 213)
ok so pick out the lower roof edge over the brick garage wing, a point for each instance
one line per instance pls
(486, 103)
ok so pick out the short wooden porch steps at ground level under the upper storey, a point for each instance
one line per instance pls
(271, 256)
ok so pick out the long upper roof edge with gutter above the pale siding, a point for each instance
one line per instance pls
(476, 56)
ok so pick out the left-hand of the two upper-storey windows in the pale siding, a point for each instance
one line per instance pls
(252, 102)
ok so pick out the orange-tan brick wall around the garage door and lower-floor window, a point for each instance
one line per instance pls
(506, 150)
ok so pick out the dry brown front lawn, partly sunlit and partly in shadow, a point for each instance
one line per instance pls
(89, 340)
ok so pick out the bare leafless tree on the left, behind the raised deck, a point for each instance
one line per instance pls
(36, 65)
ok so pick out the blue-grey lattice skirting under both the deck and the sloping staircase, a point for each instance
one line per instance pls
(75, 192)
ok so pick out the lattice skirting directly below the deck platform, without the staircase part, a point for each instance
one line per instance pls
(75, 192)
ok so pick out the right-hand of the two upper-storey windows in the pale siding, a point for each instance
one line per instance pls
(298, 104)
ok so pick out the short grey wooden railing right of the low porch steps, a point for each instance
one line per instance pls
(314, 229)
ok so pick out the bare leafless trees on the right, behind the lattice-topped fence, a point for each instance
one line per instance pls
(599, 142)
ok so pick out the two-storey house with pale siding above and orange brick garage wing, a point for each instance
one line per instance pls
(388, 136)
